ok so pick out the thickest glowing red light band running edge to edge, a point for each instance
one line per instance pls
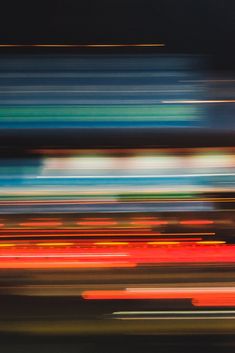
(138, 253)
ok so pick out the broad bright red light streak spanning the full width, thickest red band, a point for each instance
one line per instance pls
(141, 254)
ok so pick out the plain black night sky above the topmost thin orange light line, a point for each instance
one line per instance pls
(198, 26)
